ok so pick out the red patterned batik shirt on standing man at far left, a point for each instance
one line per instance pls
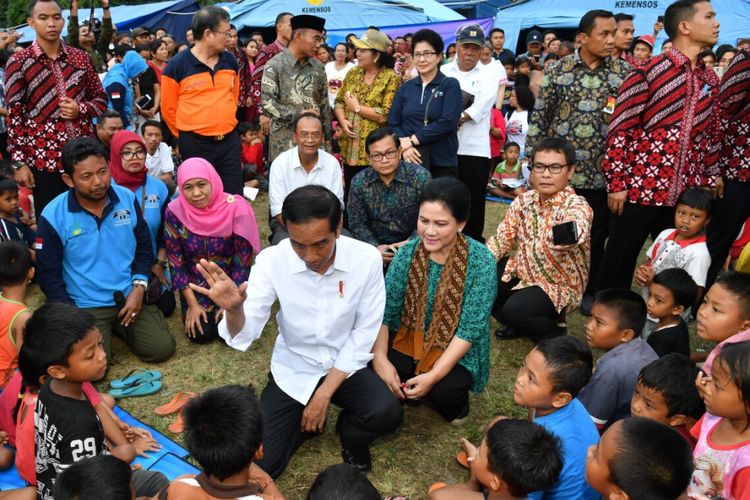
(34, 85)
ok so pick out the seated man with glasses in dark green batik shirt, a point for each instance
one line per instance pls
(384, 199)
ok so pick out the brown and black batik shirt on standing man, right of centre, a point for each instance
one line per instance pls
(576, 102)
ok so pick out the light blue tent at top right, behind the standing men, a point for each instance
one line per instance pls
(734, 16)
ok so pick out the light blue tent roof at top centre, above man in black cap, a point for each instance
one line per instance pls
(343, 14)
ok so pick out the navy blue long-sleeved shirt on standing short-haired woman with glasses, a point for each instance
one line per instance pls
(441, 133)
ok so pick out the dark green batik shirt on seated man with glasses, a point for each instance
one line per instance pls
(380, 214)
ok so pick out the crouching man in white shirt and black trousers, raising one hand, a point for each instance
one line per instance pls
(332, 297)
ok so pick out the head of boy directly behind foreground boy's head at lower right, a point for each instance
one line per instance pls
(666, 392)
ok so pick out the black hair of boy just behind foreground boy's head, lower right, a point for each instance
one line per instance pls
(673, 376)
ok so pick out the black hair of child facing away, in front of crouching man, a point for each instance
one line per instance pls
(212, 435)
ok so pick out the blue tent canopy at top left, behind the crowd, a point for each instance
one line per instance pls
(174, 16)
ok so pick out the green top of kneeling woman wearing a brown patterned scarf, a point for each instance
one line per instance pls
(479, 295)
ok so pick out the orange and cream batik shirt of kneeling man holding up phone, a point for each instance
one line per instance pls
(525, 236)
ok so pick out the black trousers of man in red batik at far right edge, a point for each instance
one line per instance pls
(727, 218)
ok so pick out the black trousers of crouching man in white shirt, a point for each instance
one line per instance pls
(369, 411)
